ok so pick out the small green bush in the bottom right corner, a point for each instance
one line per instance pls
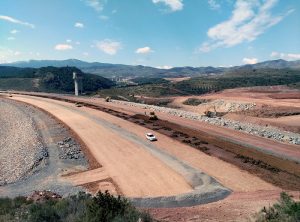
(286, 210)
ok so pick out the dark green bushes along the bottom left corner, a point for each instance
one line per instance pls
(82, 207)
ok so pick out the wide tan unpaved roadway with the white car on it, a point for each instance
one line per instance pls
(143, 174)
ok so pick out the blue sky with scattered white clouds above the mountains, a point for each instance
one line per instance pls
(159, 33)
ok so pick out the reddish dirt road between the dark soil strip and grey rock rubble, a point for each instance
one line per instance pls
(269, 146)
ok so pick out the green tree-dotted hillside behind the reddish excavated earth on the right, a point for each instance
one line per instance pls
(242, 77)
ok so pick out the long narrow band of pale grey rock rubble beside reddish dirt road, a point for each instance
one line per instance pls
(267, 132)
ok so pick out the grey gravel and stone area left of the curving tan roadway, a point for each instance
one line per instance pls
(35, 150)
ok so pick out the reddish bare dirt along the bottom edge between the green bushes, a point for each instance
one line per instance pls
(238, 207)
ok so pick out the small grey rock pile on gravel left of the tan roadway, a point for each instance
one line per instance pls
(69, 149)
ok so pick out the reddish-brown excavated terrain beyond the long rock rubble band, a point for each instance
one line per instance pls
(277, 106)
